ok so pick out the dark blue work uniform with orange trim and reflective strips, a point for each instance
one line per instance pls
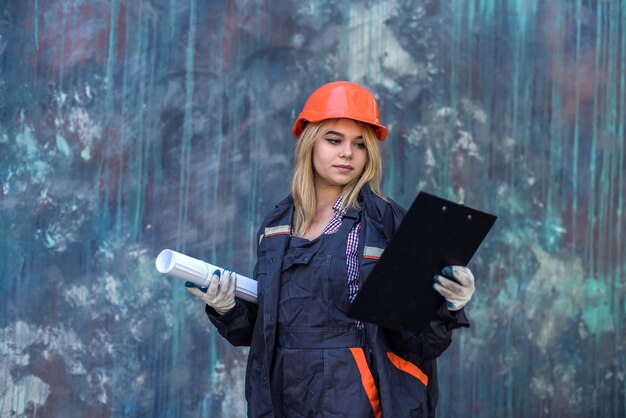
(307, 358)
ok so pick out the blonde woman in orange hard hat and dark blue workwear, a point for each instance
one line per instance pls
(307, 357)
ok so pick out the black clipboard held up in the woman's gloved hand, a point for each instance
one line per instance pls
(434, 233)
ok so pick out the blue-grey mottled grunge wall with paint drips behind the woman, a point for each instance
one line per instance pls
(127, 127)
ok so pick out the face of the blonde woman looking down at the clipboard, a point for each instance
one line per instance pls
(339, 154)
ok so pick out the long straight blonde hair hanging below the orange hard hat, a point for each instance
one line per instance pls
(303, 182)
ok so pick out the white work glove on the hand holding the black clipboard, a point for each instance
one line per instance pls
(457, 292)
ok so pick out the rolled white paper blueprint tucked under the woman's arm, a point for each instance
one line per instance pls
(199, 273)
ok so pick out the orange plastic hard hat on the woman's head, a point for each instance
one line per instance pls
(340, 99)
